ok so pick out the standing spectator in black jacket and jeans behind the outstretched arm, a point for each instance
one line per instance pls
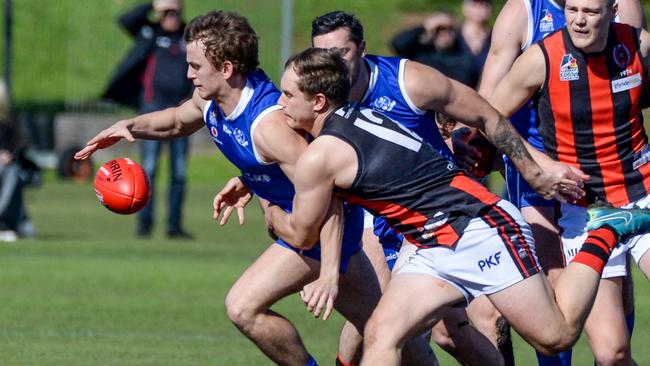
(153, 77)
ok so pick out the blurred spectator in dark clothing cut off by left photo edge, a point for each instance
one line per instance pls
(16, 172)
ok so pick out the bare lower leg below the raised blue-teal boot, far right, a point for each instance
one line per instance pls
(605, 327)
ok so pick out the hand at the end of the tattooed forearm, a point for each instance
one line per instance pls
(560, 181)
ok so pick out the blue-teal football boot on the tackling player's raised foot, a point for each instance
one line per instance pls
(626, 222)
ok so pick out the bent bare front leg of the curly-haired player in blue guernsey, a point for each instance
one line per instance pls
(277, 273)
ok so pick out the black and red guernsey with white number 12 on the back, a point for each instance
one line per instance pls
(400, 177)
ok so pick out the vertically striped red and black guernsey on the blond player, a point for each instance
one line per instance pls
(590, 115)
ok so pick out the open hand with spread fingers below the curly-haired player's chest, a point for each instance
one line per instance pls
(234, 195)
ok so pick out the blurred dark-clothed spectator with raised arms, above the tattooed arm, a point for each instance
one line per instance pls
(437, 43)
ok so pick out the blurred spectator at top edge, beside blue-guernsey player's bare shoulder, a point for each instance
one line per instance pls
(475, 31)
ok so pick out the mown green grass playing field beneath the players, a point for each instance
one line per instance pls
(88, 293)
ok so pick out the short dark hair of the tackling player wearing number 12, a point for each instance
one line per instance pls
(322, 71)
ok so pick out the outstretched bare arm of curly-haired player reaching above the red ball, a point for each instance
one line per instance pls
(171, 122)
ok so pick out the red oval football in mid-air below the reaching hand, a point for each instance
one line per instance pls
(122, 186)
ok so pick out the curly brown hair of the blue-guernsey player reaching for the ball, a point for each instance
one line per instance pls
(227, 37)
